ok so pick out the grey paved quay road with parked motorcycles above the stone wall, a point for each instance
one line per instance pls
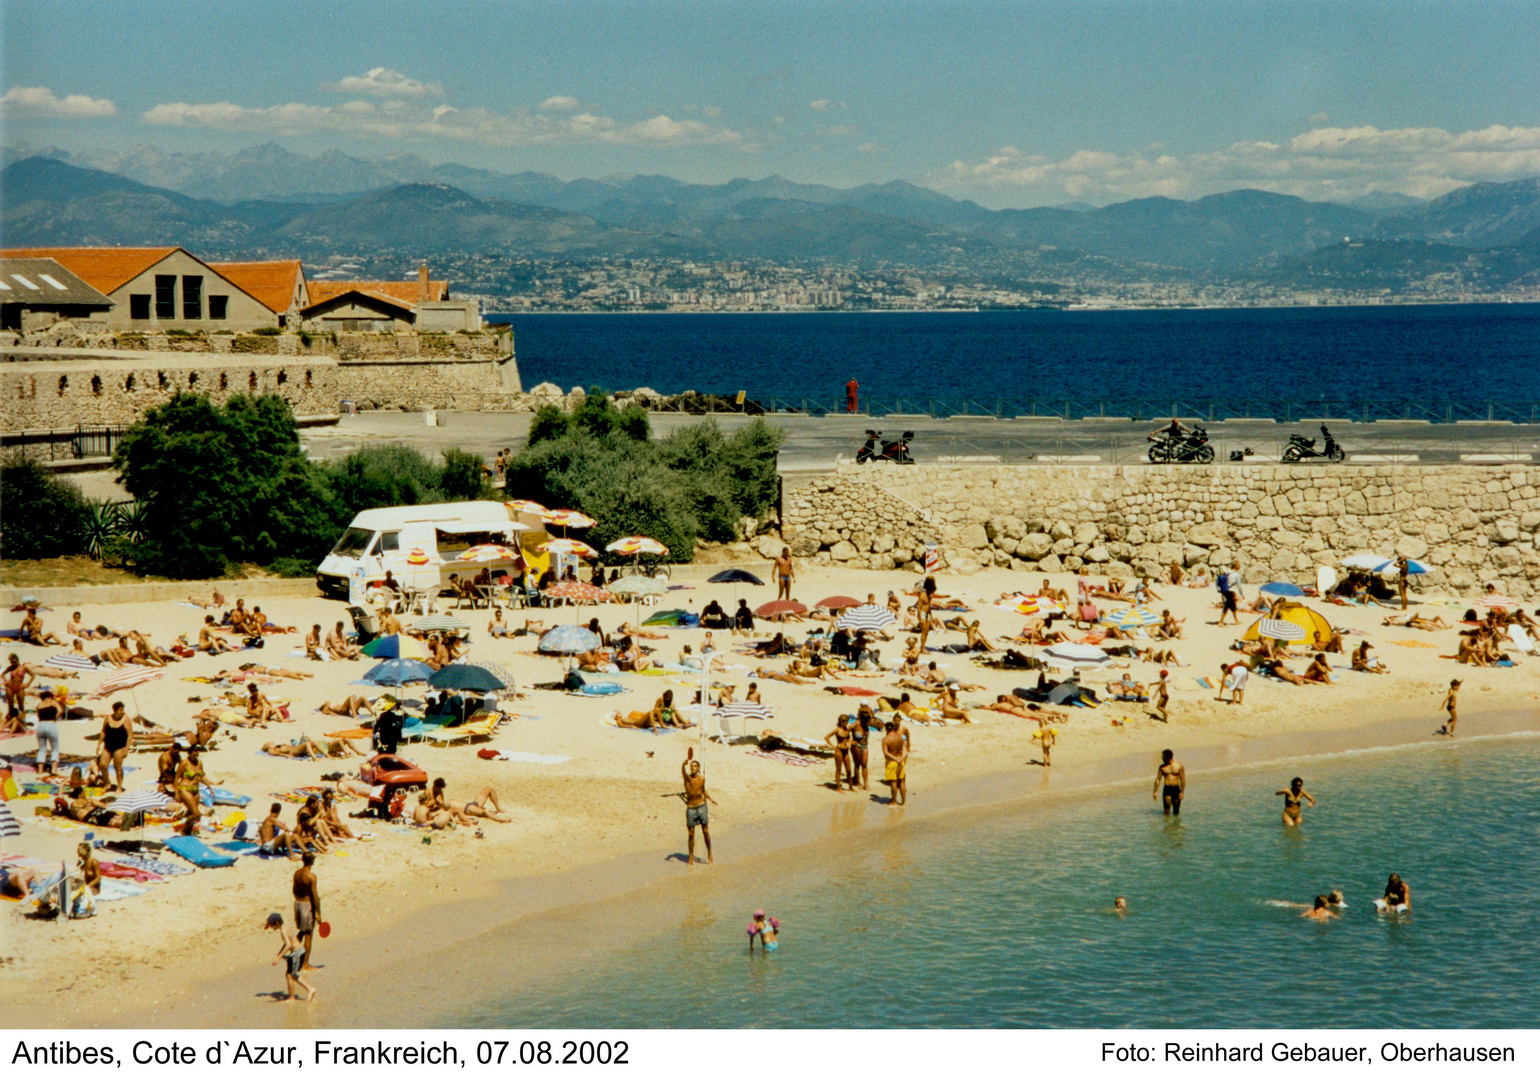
(815, 444)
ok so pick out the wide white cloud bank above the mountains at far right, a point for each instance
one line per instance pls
(1319, 164)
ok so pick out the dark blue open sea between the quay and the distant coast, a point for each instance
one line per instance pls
(1444, 354)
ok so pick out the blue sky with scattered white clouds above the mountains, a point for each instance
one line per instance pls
(1006, 104)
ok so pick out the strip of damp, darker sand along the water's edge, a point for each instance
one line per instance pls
(581, 914)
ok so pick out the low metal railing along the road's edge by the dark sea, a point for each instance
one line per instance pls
(1133, 409)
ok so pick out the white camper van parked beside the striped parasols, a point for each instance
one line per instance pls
(420, 545)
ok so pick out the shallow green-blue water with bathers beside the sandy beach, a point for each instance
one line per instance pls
(1008, 924)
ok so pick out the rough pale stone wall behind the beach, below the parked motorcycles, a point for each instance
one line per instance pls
(1473, 525)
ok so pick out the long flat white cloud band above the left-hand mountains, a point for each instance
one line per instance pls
(470, 126)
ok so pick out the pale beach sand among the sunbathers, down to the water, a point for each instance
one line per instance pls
(601, 825)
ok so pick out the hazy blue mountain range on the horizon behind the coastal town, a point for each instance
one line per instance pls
(269, 201)
